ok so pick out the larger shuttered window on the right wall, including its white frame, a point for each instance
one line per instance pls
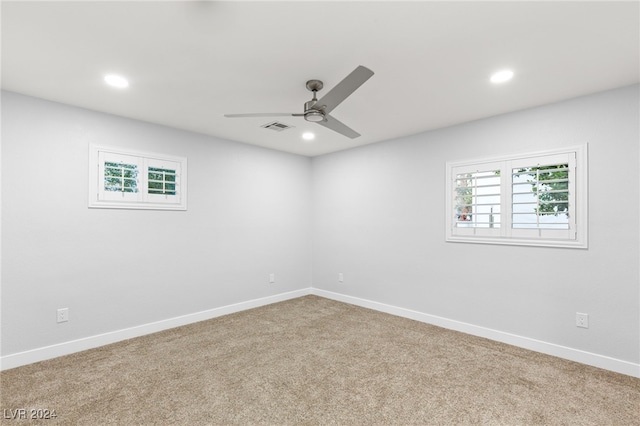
(532, 199)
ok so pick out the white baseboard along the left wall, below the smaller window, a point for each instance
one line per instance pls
(66, 348)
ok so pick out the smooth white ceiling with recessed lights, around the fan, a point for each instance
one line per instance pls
(191, 62)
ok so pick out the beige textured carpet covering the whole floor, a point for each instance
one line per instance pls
(313, 361)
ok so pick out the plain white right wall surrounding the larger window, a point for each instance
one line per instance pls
(379, 219)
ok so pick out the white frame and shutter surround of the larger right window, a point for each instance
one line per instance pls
(574, 237)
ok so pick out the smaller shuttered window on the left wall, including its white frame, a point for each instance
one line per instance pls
(124, 179)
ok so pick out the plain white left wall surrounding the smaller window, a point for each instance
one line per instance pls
(248, 216)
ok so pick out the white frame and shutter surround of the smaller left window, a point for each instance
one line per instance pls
(142, 198)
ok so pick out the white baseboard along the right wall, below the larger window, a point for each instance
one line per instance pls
(595, 360)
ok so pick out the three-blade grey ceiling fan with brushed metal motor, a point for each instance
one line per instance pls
(317, 111)
